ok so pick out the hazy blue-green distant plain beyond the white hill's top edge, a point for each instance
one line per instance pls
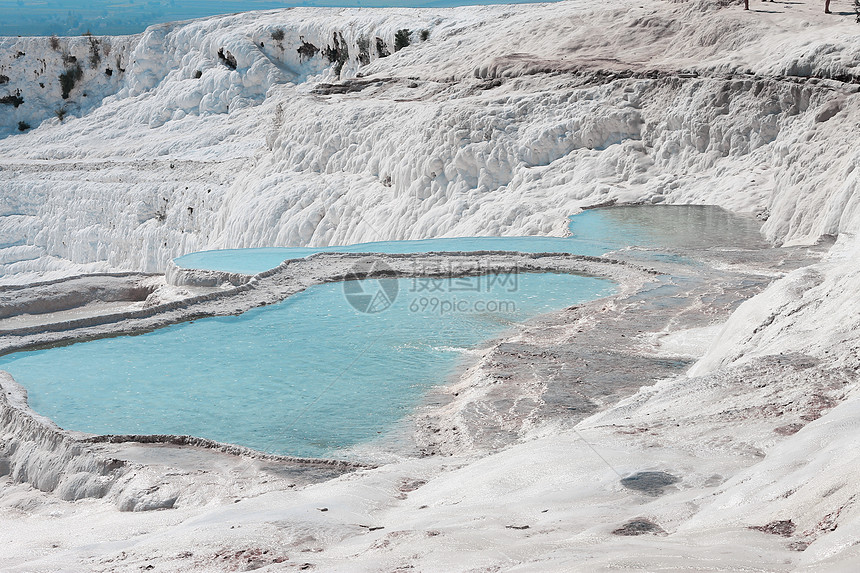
(118, 17)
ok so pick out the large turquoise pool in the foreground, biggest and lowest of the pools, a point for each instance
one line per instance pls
(307, 376)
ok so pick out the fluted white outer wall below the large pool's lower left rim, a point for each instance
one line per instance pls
(71, 465)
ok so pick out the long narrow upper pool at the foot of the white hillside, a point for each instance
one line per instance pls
(593, 232)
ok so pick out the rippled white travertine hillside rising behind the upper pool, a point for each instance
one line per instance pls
(503, 121)
